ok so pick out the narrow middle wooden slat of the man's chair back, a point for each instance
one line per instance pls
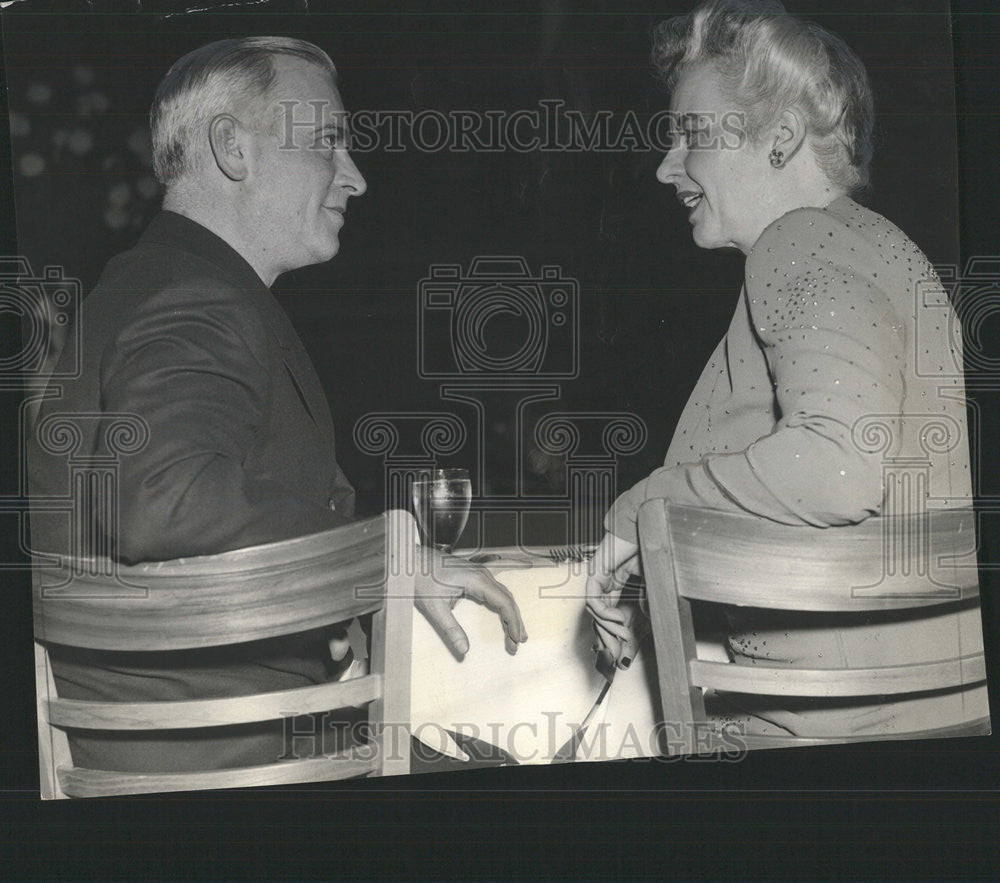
(89, 715)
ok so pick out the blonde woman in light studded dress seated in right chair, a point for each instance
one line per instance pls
(822, 344)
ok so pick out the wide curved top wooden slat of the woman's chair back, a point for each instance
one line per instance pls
(880, 564)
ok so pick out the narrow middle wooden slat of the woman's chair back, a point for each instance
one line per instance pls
(824, 682)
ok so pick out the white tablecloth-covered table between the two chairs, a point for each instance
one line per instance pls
(532, 703)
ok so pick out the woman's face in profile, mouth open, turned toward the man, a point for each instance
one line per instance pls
(721, 179)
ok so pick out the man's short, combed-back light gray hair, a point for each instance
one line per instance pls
(228, 76)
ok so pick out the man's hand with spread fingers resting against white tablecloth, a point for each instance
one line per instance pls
(443, 579)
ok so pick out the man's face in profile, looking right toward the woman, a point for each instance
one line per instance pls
(303, 174)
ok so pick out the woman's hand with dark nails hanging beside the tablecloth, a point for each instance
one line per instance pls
(614, 561)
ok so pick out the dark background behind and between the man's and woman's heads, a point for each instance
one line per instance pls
(653, 306)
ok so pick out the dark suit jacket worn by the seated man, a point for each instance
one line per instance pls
(181, 332)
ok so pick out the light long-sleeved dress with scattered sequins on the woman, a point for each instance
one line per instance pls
(842, 328)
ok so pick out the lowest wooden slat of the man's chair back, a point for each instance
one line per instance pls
(82, 782)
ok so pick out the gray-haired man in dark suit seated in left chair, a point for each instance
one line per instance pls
(182, 331)
